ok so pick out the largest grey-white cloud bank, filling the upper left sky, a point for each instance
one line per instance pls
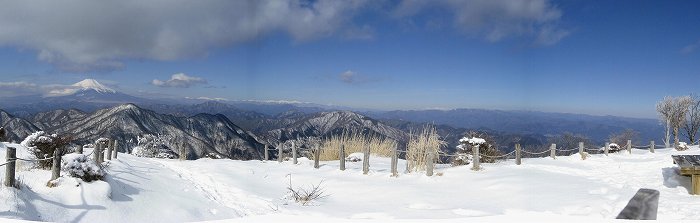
(85, 35)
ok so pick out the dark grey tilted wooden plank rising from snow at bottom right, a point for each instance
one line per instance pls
(643, 206)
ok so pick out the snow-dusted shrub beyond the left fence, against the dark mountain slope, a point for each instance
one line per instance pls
(154, 147)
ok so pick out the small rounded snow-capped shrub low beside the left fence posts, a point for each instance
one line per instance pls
(80, 166)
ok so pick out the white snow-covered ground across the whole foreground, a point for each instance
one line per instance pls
(157, 190)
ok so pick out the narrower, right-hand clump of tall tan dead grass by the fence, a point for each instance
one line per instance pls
(418, 147)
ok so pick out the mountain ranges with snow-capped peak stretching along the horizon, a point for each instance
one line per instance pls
(238, 129)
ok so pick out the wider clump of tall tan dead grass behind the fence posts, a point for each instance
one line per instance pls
(355, 142)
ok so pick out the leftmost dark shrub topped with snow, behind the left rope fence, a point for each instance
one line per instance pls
(43, 145)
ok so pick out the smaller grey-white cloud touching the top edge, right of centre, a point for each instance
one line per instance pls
(495, 20)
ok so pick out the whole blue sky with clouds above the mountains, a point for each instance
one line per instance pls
(591, 57)
